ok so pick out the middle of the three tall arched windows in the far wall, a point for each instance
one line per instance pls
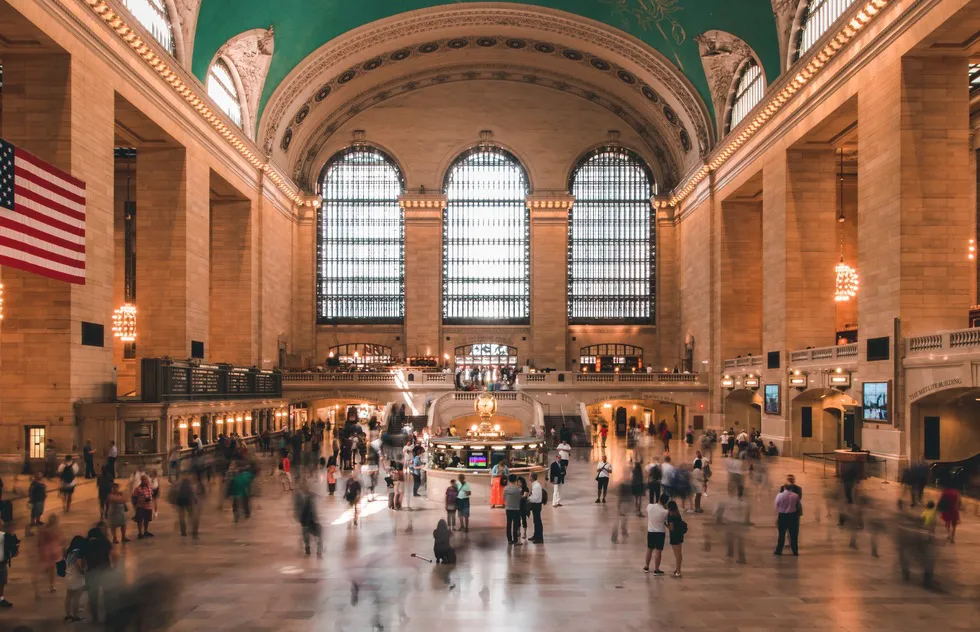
(486, 242)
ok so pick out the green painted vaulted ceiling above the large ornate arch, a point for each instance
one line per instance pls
(670, 26)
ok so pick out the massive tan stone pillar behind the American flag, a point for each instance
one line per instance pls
(62, 113)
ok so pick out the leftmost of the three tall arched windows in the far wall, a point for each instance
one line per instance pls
(361, 240)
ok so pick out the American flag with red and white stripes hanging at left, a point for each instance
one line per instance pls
(42, 217)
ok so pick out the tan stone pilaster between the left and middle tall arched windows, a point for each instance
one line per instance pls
(423, 272)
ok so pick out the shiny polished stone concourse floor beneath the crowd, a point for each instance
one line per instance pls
(254, 576)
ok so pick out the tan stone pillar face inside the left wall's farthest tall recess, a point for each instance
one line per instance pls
(234, 284)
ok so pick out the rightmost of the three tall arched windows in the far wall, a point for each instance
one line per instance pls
(611, 247)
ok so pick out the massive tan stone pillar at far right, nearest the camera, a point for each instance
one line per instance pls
(915, 214)
